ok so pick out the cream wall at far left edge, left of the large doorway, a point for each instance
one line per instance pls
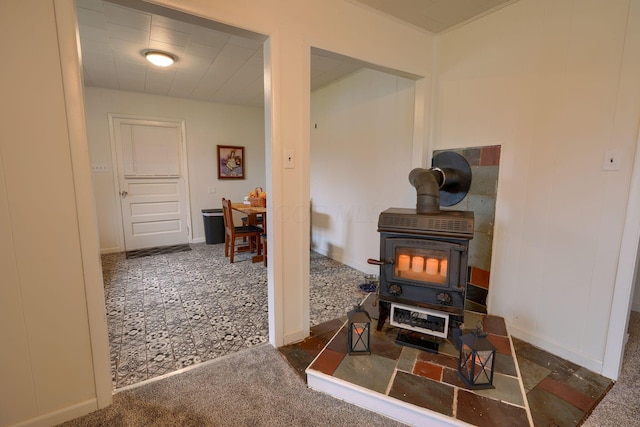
(48, 255)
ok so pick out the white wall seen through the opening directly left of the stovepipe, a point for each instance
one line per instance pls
(361, 156)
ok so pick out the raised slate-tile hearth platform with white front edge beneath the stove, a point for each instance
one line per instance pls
(395, 376)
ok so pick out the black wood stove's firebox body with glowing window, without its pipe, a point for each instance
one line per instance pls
(423, 259)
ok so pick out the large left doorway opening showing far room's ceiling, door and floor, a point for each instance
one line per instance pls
(152, 139)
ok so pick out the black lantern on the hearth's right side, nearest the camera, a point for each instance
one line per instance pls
(477, 359)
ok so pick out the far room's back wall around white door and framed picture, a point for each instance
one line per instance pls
(207, 125)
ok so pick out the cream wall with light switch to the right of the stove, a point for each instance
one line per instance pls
(556, 84)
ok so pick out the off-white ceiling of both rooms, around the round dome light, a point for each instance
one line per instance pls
(216, 62)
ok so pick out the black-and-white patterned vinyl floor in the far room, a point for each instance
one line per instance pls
(169, 311)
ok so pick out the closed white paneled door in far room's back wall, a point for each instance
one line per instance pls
(152, 182)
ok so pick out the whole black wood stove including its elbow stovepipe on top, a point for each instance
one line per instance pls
(424, 255)
